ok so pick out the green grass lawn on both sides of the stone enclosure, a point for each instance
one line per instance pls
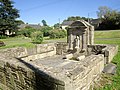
(109, 82)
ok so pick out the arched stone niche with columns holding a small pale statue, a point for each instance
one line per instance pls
(80, 34)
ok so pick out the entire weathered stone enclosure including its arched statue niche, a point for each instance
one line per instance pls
(54, 66)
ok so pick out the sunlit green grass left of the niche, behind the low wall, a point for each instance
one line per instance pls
(25, 42)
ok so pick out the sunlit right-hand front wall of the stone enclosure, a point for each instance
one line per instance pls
(84, 74)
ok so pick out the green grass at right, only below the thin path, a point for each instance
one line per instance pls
(115, 79)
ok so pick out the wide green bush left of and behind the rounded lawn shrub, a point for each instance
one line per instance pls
(26, 31)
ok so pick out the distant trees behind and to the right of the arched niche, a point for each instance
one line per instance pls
(108, 18)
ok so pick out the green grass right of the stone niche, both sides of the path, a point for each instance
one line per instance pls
(114, 79)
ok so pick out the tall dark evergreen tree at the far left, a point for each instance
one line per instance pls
(8, 16)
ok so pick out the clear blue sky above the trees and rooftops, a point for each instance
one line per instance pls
(53, 11)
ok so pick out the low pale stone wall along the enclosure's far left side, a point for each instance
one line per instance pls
(39, 51)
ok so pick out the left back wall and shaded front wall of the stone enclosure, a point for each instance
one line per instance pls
(17, 73)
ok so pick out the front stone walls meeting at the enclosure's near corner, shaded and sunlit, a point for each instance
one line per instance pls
(16, 74)
